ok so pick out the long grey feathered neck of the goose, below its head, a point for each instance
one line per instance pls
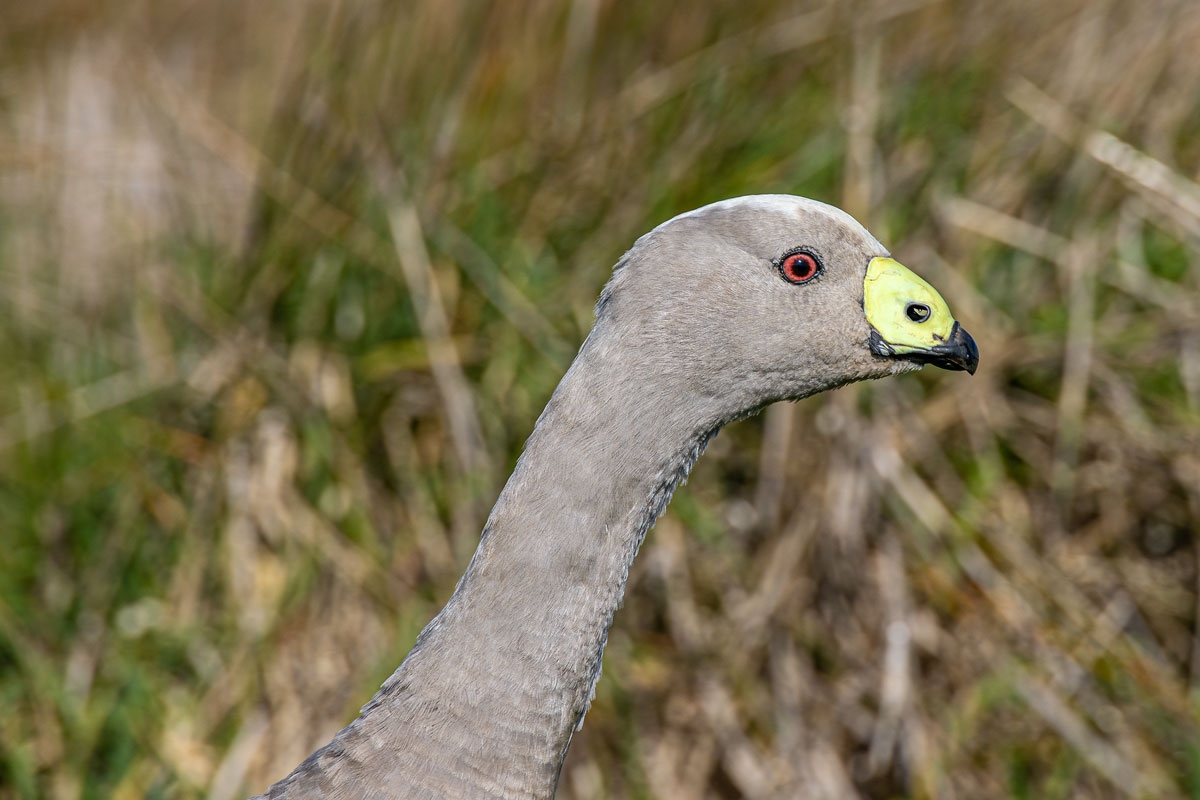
(487, 702)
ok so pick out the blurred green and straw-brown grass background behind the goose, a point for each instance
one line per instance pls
(286, 285)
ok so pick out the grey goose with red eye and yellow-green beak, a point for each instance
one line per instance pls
(709, 318)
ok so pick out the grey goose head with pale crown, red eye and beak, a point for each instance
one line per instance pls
(767, 298)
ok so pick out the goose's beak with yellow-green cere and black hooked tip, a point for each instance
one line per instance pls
(910, 321)
